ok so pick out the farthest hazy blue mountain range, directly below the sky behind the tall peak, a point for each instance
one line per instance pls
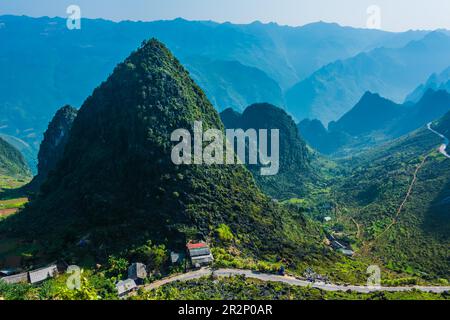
(44, 65)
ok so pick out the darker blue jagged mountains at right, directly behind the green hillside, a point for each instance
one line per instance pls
(372, 121)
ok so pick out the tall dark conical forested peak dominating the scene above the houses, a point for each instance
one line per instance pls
(117, 183)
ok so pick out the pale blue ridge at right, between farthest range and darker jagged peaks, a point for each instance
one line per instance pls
(393, 72)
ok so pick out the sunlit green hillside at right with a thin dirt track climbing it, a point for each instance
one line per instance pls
(397, 196)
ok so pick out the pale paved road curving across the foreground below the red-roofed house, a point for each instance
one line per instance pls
(286, 279)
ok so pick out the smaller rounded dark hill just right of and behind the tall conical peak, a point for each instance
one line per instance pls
(294, 168)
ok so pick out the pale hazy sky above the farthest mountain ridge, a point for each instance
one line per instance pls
(396, 15)
